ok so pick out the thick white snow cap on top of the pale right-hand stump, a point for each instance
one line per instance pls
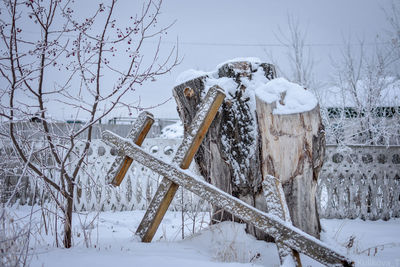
(289, 97)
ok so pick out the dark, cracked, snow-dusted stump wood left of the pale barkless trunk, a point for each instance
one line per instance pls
(229, 155)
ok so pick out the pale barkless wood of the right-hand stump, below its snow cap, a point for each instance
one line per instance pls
(293, 147)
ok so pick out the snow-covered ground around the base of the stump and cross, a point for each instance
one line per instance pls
(107, 239)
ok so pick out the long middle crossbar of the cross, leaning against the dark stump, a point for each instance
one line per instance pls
(184, 155)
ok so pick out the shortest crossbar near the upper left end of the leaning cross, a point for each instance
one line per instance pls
(122, 163)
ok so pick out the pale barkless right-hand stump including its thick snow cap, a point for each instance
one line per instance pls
(293, 146)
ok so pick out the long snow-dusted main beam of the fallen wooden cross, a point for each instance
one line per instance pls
(270, 224)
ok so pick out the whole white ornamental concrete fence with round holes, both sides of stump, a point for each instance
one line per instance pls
(357, 182)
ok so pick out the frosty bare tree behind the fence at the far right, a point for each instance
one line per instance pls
(366, 111)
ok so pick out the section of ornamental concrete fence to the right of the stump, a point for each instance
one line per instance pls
(360, 182)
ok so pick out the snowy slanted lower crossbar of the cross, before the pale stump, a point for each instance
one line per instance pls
(276, 205)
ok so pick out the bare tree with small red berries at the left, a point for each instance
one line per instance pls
(88, 63)
